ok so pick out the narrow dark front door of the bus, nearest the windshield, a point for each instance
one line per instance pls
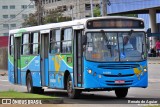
(78, 63)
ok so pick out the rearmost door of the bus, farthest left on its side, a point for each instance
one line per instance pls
(17, 66)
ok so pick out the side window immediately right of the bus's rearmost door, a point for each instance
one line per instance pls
(25, 44)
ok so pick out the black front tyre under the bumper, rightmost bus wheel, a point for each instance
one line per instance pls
(121, 92)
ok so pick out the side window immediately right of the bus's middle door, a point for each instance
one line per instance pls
(55, 42)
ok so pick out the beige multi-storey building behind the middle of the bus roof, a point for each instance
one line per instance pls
(76, 9)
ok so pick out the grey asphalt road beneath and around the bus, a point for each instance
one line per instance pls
(101, 97)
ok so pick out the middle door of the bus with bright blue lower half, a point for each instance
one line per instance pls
(44, 58)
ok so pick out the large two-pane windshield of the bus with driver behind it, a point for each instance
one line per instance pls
(115, 46)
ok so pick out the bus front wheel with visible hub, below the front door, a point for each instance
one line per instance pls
(72, 93)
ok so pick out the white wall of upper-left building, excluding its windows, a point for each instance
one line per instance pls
(18, 20)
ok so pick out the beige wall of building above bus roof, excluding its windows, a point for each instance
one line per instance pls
(78, 10)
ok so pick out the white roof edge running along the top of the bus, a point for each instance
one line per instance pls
(65, 24)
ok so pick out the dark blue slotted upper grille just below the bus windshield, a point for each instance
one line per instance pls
(118, 66)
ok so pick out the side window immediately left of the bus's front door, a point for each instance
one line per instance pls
(66, 40)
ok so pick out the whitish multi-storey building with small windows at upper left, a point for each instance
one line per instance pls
(13, 13)
